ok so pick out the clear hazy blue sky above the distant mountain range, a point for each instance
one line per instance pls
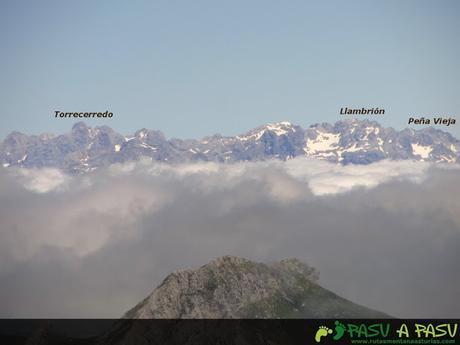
(192, 68)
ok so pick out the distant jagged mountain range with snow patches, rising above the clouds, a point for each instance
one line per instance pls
(84, 149)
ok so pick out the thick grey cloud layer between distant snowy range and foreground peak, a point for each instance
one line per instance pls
(384, 235)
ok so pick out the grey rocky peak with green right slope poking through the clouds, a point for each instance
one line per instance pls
(232, 287)
